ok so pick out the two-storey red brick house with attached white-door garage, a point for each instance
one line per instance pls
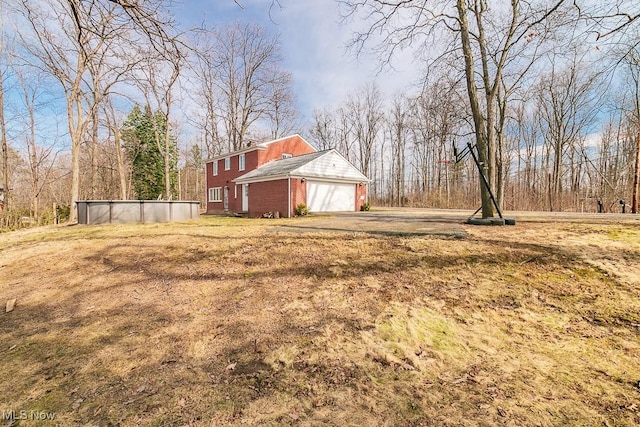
(278, 175)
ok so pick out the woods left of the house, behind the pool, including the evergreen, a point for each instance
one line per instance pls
(105, 99)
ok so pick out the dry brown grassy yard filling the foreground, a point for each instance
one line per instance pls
(254, 322)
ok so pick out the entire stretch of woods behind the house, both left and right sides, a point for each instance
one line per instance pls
(107, 99)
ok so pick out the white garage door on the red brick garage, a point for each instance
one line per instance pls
(330, 197)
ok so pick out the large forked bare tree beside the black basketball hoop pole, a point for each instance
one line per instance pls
(486, 40)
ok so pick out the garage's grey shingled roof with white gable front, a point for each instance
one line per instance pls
(326, 165)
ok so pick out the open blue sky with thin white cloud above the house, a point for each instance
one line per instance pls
(313, 45)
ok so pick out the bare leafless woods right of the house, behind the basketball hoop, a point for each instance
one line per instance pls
(570, 141)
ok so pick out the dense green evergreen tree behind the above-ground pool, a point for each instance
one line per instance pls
(147, 162)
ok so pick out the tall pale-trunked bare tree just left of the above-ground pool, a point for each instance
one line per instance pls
(69, 36)
